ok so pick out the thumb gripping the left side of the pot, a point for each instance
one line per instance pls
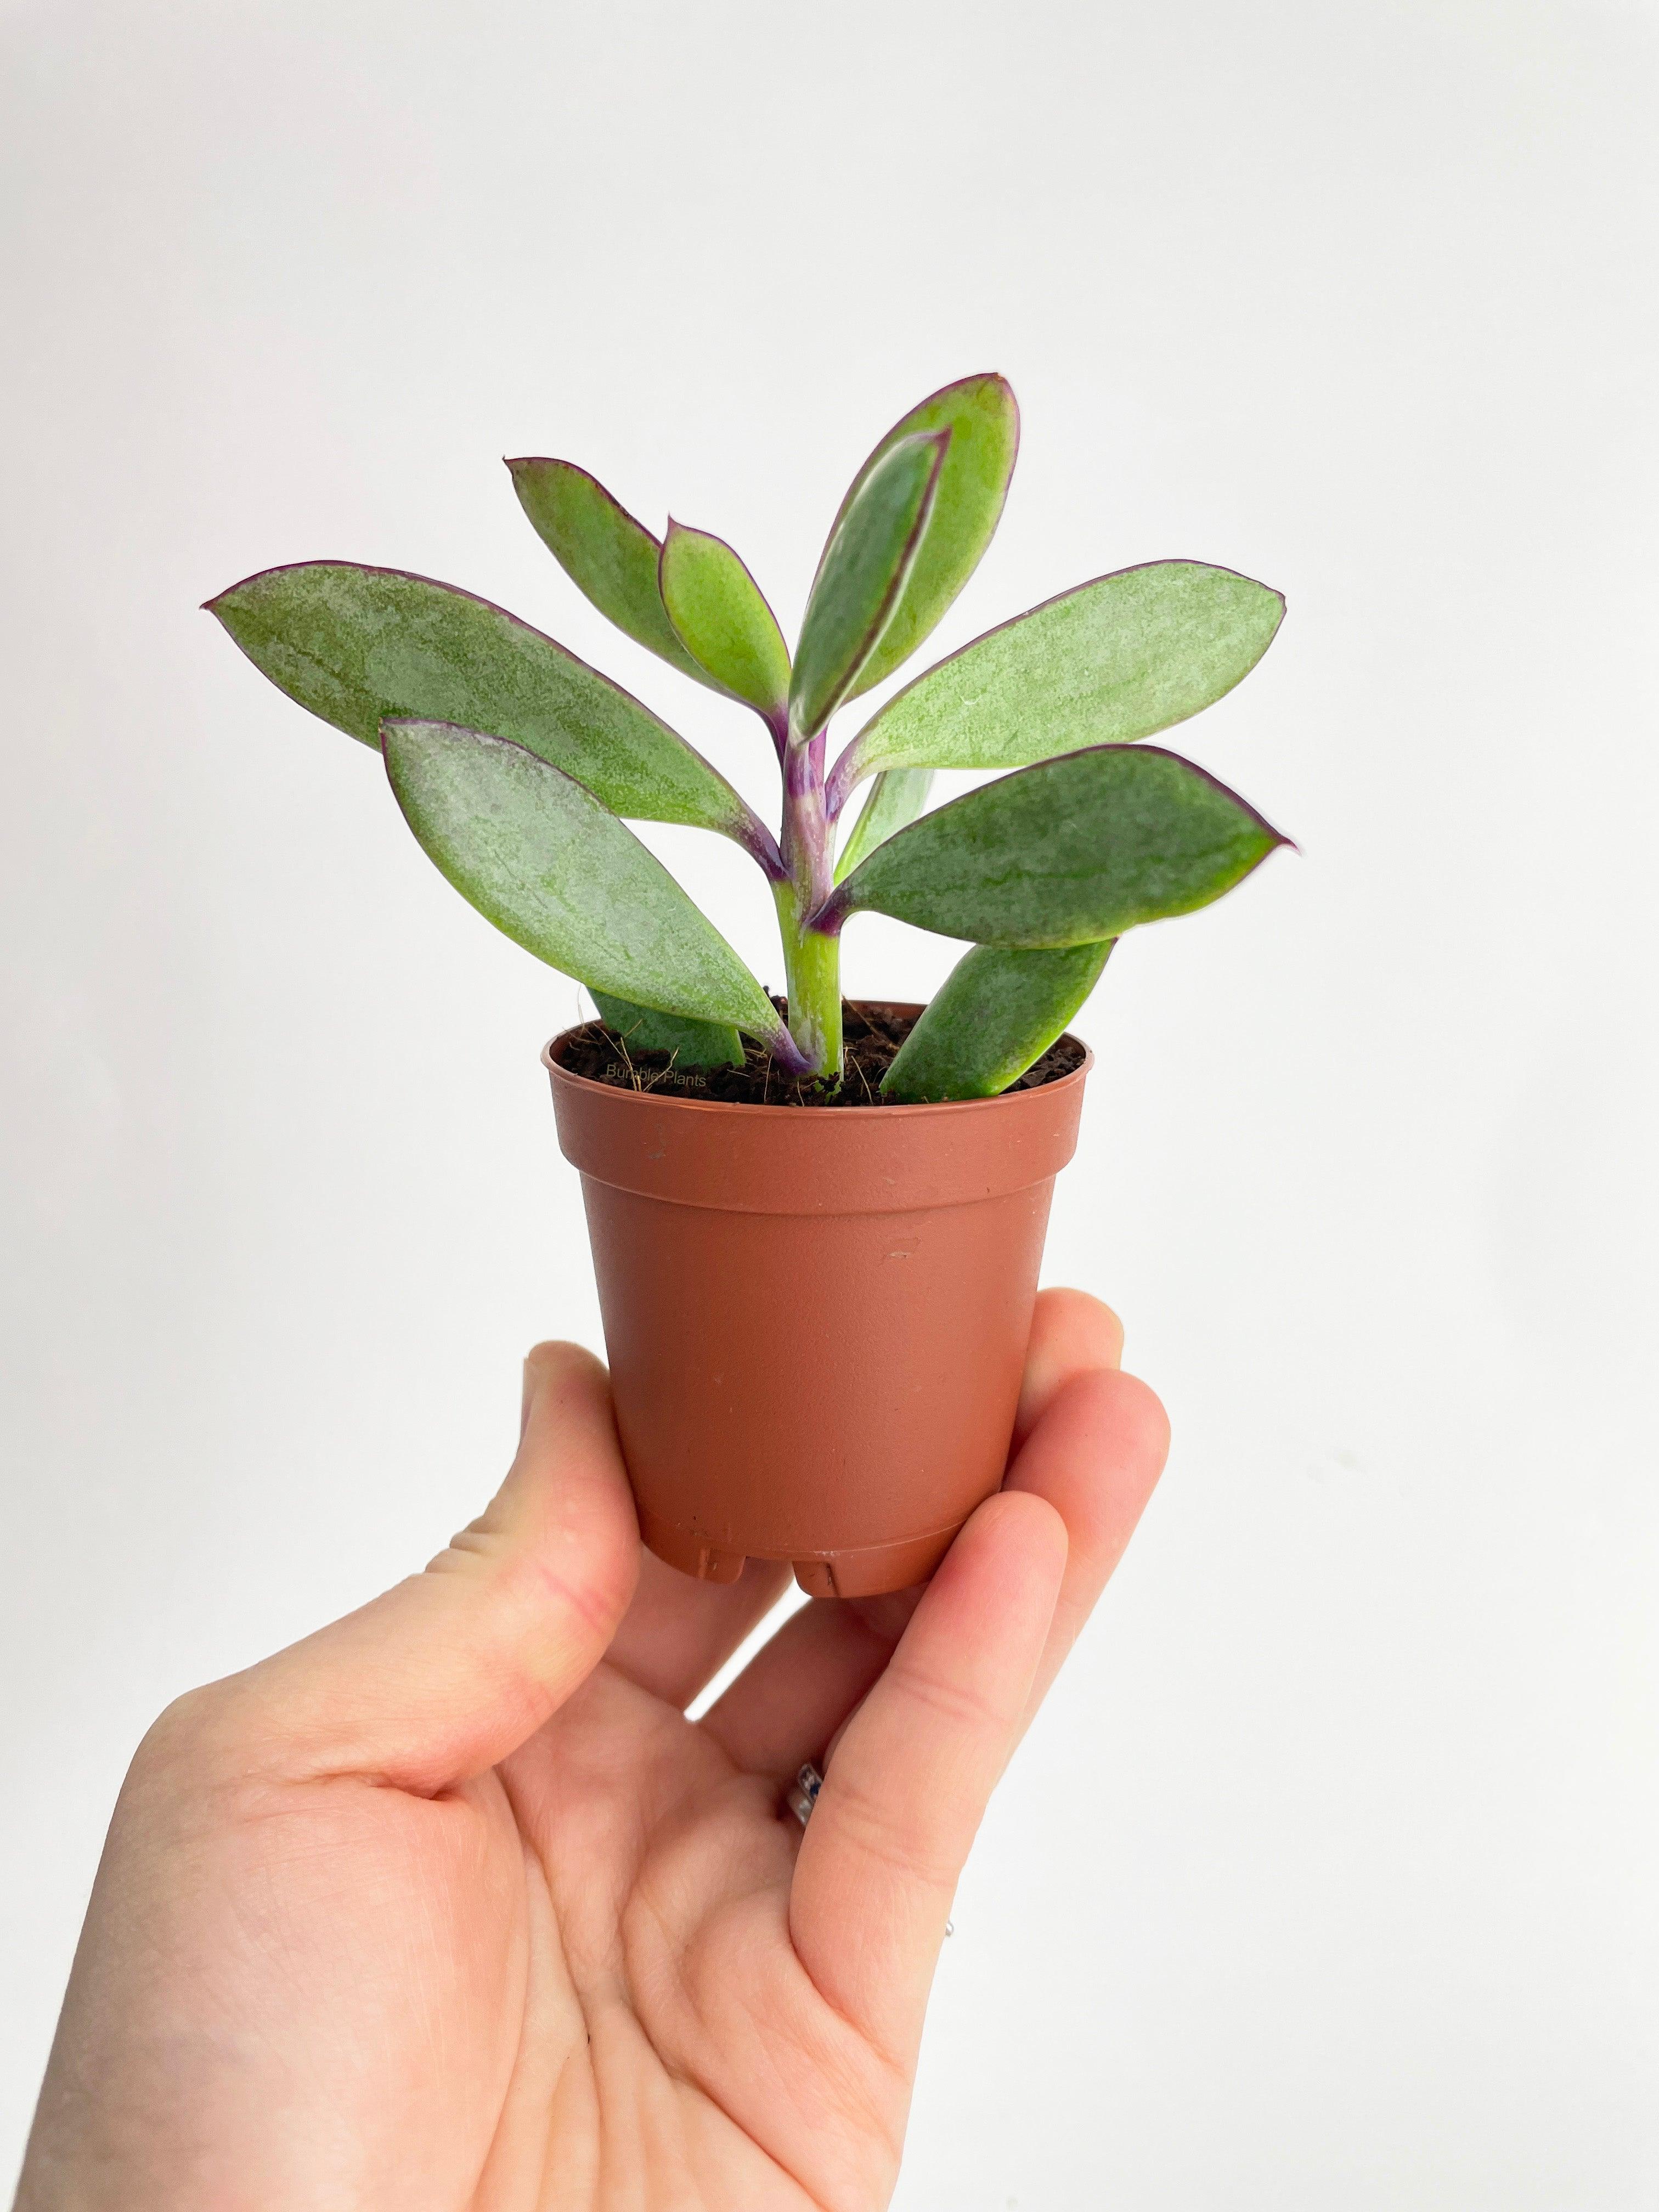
(455, 1669)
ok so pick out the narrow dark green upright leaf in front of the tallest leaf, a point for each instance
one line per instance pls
(862, 576)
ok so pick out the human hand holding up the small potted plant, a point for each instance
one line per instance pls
(452, 1908)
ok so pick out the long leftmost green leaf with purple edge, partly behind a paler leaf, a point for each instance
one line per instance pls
(366, 645)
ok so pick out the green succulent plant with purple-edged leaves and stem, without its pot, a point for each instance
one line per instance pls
(519, 766)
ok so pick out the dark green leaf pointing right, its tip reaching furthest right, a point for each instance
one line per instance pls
(1067, 853)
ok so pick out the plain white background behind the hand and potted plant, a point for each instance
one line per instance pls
(1331, 1875)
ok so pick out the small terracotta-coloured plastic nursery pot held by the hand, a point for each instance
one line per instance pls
(815, 1317)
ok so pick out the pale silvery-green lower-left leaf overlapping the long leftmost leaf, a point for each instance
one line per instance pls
(554, 870)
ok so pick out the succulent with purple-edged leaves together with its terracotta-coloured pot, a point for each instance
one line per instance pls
(815, 1317)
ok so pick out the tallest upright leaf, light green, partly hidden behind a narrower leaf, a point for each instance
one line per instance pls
(985, 437)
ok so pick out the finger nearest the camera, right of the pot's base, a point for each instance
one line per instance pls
(915, 1773)
